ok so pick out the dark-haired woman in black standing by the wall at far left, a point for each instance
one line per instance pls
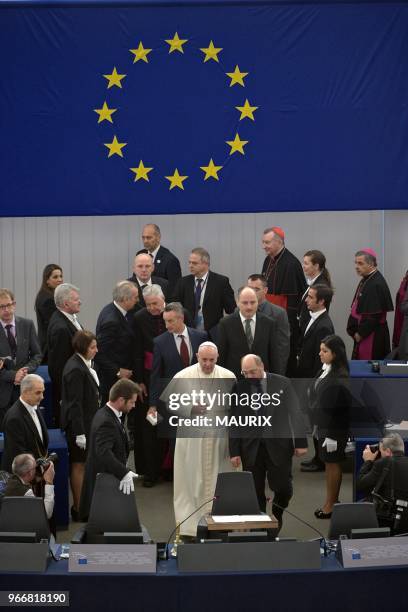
(45, 305)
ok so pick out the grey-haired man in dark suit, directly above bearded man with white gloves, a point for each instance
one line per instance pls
(116, 355)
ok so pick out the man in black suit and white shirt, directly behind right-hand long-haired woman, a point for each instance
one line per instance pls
(312, 332)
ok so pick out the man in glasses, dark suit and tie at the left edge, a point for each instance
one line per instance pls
(18, 342)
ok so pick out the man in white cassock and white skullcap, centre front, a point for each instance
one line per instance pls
(199, 460)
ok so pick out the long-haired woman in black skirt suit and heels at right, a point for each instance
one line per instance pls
(330, 402)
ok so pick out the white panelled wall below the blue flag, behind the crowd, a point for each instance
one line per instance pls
(96, 252)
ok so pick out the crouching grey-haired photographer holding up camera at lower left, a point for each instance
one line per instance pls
(26, 474)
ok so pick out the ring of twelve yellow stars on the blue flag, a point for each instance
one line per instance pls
(141, 54)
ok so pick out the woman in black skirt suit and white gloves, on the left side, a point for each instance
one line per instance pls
(80, 401)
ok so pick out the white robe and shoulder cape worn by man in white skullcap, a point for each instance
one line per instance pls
(197, 463)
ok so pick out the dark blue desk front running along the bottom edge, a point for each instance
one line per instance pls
(331, 588)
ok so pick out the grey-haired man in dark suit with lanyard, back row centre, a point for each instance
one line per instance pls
(205, 294)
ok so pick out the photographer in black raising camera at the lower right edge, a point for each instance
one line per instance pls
(383, 477)
